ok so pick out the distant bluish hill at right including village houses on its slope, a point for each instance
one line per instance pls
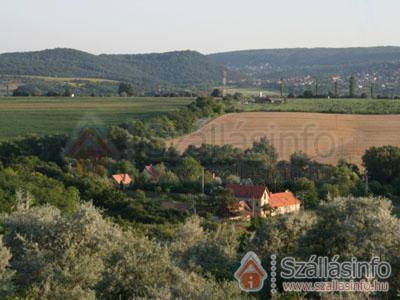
(299, 66)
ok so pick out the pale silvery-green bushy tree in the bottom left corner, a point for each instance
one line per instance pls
(58, 256)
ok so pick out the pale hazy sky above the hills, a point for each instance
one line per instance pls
(139, 26)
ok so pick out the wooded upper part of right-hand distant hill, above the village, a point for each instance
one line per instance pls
(311, 61)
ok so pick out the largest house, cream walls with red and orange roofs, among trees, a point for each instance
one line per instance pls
(261, 202)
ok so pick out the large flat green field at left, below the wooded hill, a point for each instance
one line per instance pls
(21, 116)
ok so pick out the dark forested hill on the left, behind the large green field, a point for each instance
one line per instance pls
(179, 68)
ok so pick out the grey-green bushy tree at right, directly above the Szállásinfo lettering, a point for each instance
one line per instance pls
(356, 227)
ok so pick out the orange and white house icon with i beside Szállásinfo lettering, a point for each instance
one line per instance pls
(251, 274)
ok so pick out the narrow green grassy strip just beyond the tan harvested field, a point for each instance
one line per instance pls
(341, 106)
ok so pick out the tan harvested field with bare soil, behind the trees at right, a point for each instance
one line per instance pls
(324, 137)
